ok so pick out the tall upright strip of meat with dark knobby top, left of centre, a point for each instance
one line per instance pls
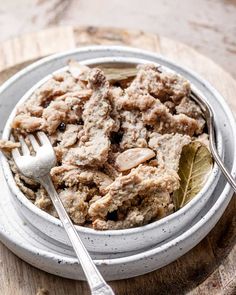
(94, 147)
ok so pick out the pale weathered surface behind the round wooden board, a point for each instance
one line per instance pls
(207, 25)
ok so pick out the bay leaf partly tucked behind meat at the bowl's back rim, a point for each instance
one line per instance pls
(119, 74)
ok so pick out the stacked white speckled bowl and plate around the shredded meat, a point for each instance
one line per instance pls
(40, 240)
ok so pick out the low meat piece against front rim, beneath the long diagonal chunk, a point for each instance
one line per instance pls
(151, 207)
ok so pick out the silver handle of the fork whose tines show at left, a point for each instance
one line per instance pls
(96, 282)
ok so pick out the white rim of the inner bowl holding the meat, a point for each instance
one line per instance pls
(212, 180)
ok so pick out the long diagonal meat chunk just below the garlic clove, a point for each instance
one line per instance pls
(141, 180)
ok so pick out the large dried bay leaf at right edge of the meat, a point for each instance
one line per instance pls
(194, 168)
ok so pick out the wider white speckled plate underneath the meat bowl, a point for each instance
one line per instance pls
(42, 252)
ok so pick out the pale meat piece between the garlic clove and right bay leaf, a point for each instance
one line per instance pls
(168, 148)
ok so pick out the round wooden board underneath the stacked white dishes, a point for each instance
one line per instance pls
(209, 268)
